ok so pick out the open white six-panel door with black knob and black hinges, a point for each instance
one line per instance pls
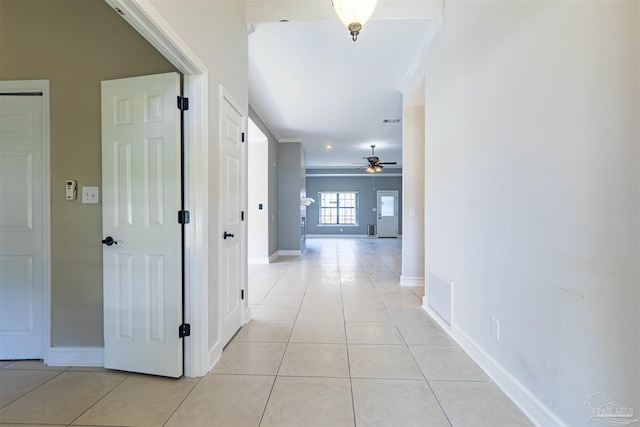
(141, 200)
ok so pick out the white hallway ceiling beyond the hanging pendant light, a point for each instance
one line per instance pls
(309, 82)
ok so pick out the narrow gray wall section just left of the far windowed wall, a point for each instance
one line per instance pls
(290, 178)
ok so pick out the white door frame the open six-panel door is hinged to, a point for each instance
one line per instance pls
(145, 19)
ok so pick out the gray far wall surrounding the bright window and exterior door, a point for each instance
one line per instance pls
(366, 186)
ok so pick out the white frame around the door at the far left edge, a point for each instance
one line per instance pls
(30, 86)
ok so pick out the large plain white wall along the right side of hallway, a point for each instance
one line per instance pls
(532, 191)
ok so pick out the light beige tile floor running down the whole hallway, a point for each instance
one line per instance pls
(334, 341)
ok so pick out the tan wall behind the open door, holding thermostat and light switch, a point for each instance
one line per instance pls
(75, 44)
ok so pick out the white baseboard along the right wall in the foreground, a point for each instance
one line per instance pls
(529, 404)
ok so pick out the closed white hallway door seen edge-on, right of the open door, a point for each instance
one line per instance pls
(232, 197)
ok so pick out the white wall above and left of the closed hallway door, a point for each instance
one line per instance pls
(216, 32)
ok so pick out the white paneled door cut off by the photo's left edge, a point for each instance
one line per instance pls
(23, 219)
